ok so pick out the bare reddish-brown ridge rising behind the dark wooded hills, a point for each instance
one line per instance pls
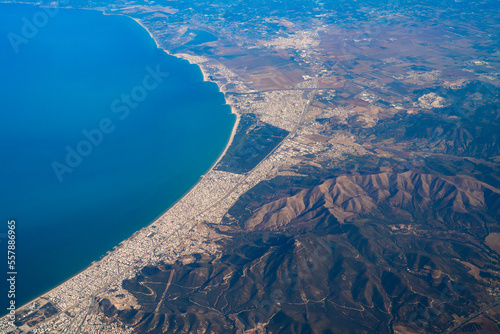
(397, 195)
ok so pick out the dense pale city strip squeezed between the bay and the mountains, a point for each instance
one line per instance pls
(180, 231)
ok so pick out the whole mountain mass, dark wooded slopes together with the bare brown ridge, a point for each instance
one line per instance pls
(352, 254)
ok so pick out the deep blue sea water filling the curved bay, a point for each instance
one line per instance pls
(69, 76)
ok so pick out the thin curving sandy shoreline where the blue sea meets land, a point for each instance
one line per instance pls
(154, 221)
